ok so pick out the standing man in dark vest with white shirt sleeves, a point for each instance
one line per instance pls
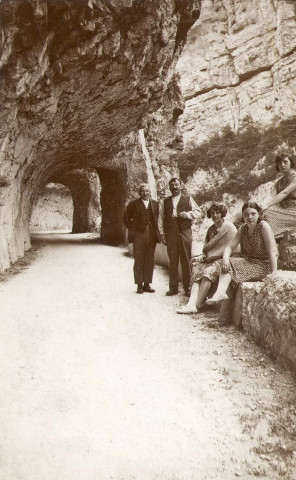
(177, 213)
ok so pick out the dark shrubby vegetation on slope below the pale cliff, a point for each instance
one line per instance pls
(247, 157)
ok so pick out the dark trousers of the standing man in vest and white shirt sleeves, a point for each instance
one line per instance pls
(179, 243)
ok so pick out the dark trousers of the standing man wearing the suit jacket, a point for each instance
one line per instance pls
(144, 254)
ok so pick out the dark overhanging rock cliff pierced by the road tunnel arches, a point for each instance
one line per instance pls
(82, 82)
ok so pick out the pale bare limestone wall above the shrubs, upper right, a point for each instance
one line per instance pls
(239, 61)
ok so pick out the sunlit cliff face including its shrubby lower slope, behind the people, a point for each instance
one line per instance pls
(238, 77)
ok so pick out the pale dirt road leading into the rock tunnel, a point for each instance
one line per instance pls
(98, 383)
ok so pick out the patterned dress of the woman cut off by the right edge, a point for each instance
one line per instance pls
(282, 216)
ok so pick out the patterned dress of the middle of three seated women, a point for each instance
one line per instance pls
(252, 266)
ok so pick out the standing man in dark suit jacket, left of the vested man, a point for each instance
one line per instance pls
(141, 220)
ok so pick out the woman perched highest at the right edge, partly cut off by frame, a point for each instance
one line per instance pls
(280, 211)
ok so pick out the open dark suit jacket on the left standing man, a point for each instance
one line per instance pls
(132, 218)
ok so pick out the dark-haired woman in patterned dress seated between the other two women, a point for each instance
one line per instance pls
(258, 254)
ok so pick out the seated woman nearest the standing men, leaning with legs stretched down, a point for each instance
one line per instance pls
(217, 238)
